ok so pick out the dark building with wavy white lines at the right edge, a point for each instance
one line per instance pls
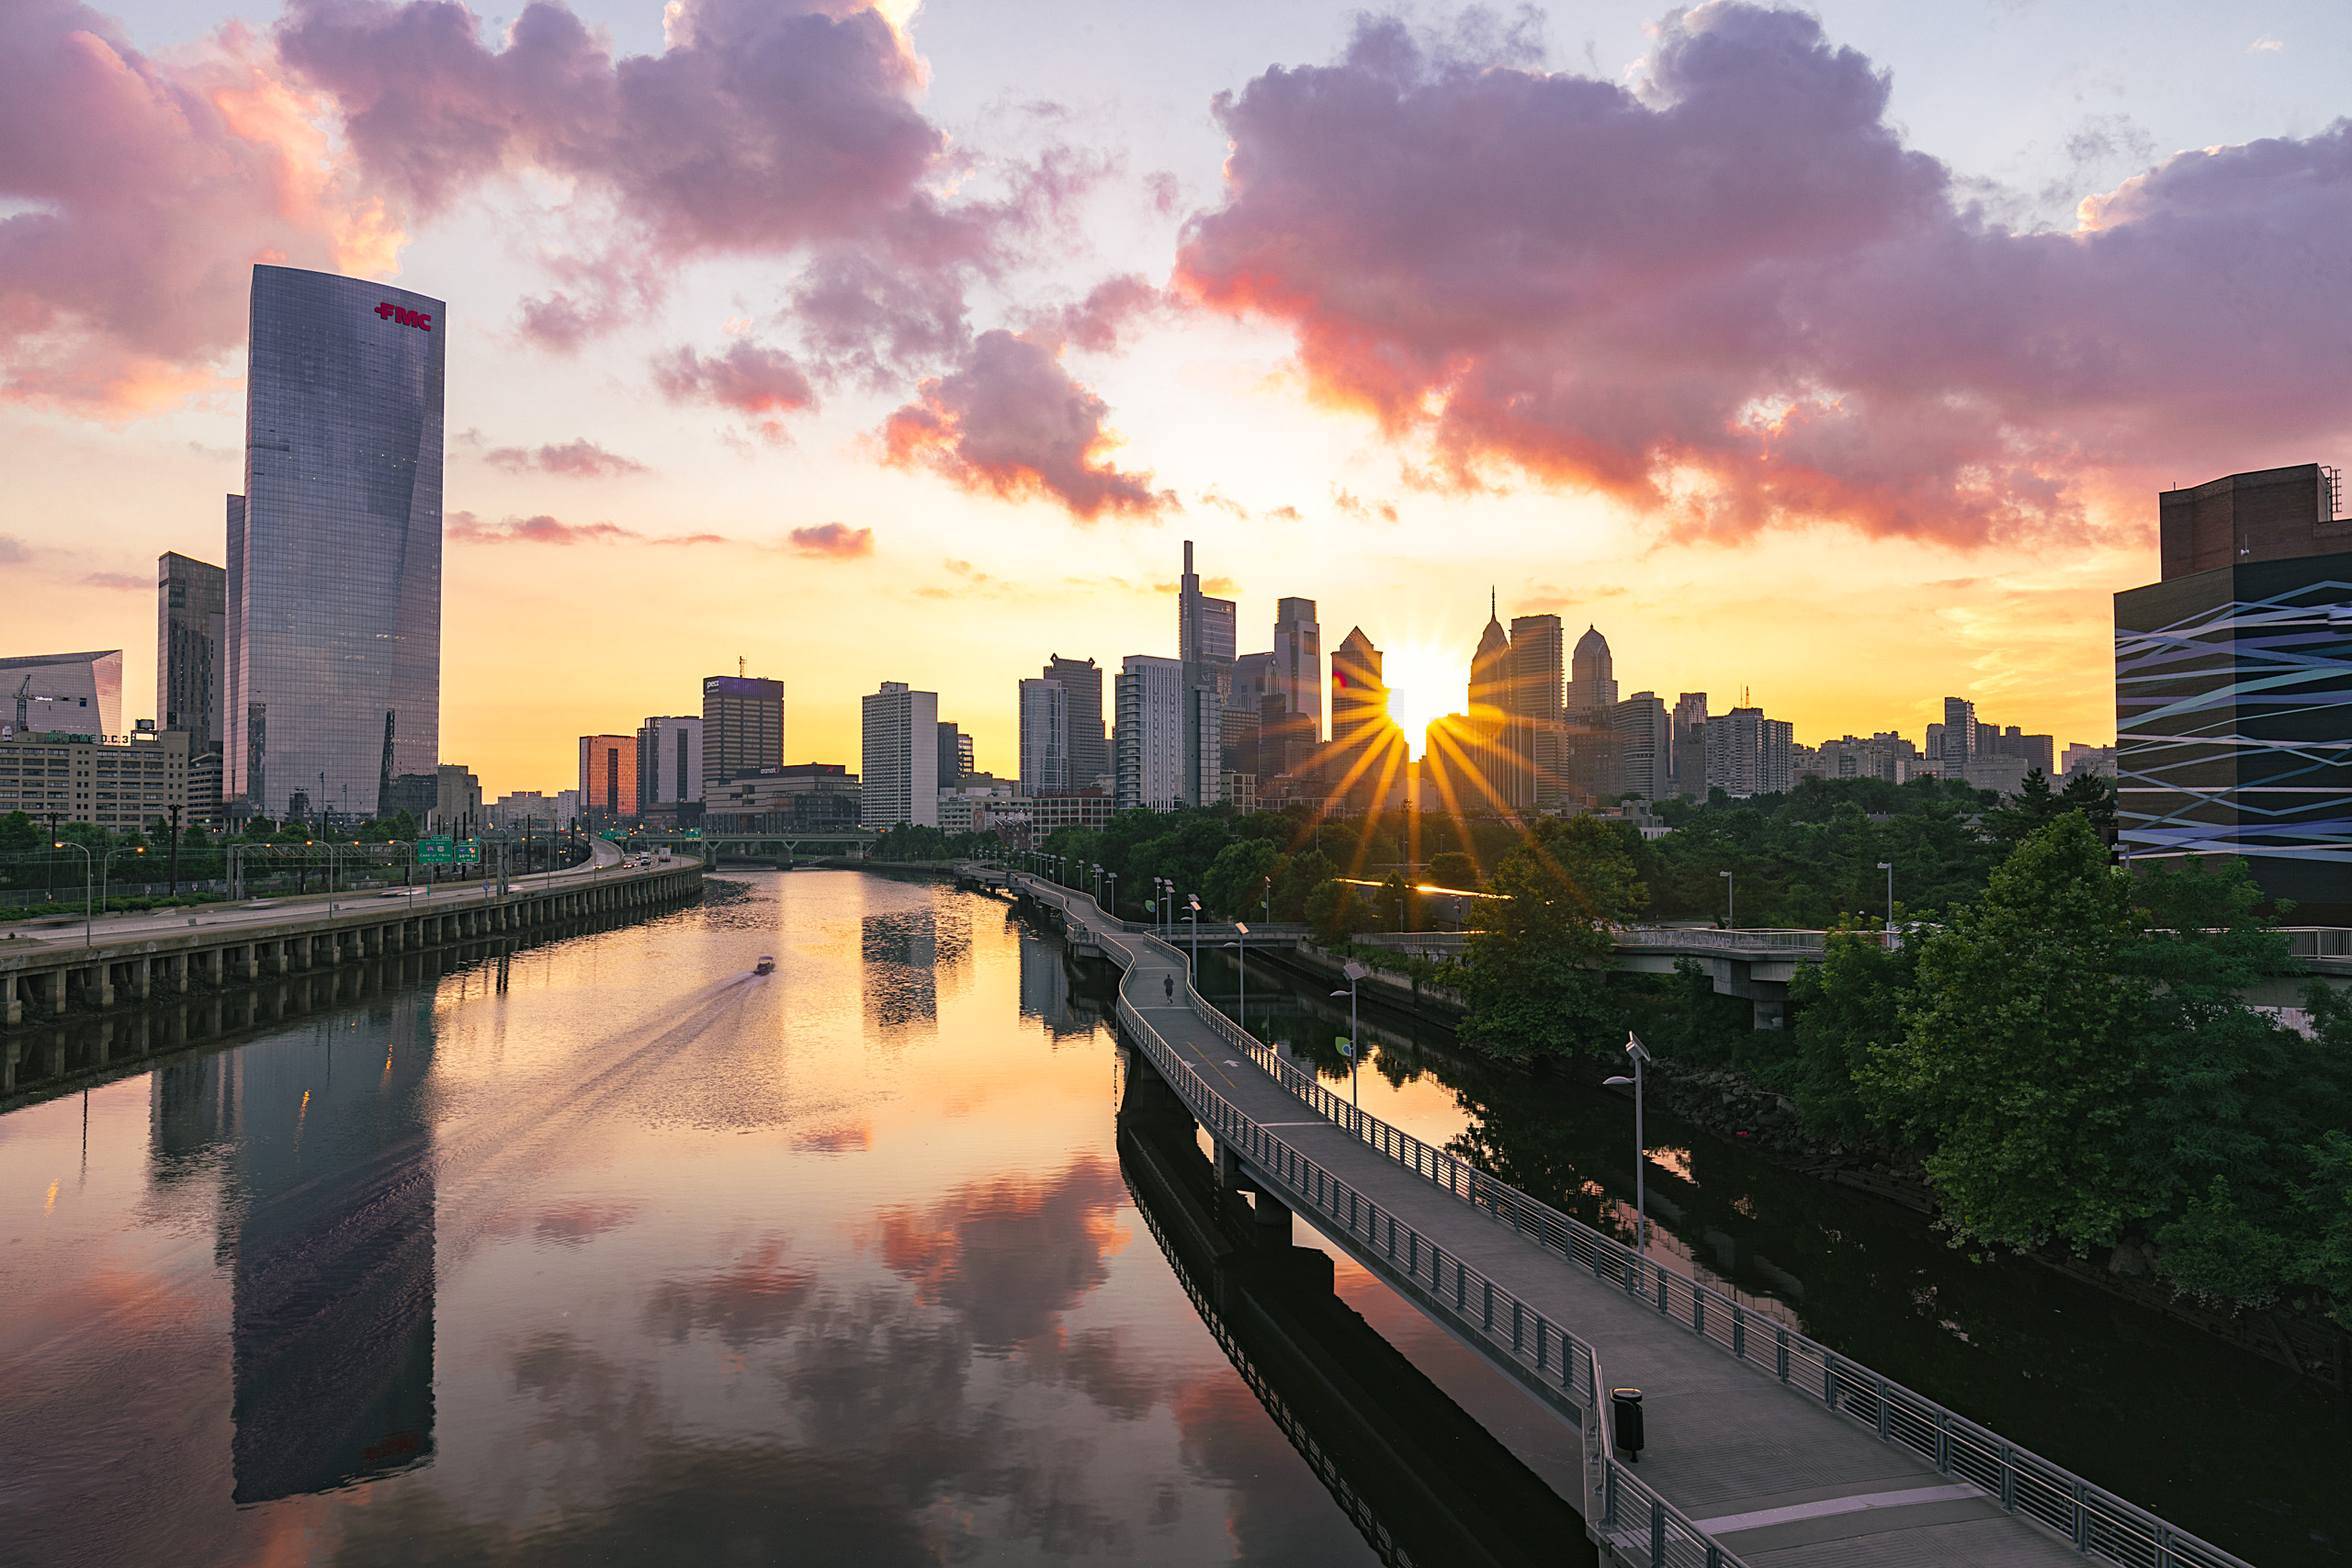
(2233, 688)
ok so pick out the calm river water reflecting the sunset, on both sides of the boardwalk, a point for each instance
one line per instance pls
(617, 1252)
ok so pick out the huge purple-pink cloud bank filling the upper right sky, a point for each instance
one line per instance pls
(1732, 297)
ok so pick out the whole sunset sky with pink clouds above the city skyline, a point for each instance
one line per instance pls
(1826, 356)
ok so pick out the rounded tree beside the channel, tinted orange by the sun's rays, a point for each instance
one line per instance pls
(1542, 953)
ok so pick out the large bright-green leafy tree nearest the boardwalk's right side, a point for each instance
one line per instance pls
(2017, 1061)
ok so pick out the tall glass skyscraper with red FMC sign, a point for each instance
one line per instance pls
(335, 551)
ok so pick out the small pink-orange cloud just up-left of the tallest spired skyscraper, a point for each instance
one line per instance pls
(1013, 422)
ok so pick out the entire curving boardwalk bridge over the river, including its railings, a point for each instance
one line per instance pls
(1765, 1447)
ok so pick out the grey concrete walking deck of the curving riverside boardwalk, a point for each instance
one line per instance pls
(1739, 1468)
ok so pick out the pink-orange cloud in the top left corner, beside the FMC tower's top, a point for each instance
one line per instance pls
(145, 194)
